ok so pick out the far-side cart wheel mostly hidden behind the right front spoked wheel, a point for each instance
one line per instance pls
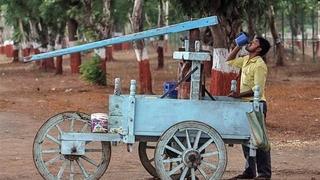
(146, 155)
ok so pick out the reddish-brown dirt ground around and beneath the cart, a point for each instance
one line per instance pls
(28, 97)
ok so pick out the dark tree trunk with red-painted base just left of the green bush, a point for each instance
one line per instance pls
(75, 58)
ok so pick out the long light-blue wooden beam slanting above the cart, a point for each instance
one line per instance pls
(203, 22)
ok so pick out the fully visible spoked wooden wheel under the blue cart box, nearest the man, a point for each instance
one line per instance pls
(199, 152)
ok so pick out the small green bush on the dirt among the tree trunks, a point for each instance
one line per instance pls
(91, 71)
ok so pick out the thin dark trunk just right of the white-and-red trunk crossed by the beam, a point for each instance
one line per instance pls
(161, 38)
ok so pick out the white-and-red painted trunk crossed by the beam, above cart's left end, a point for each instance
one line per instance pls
(140, 49)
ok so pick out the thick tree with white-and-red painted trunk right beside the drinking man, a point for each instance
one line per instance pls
(223, 35)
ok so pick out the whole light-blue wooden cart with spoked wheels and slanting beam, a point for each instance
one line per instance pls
(178, 138)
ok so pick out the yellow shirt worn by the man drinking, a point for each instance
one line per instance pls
(253, 72)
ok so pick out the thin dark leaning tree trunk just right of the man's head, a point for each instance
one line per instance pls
(276, 39)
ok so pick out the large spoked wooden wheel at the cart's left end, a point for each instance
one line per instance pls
(47, 156)
